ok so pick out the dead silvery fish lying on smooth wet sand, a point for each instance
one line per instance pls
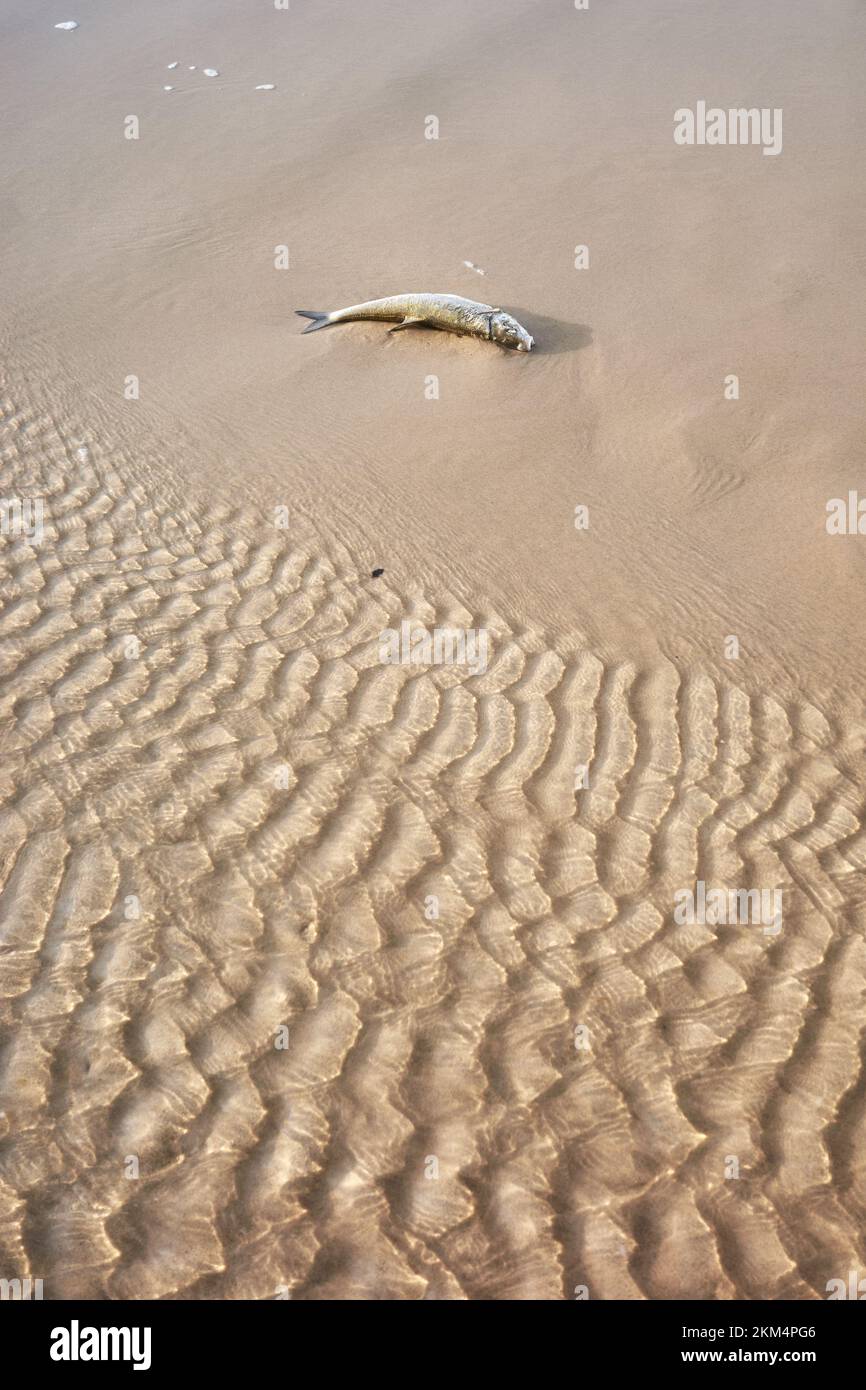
(450, 312)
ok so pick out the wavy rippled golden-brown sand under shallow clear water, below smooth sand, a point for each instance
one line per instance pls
(240, 829)
